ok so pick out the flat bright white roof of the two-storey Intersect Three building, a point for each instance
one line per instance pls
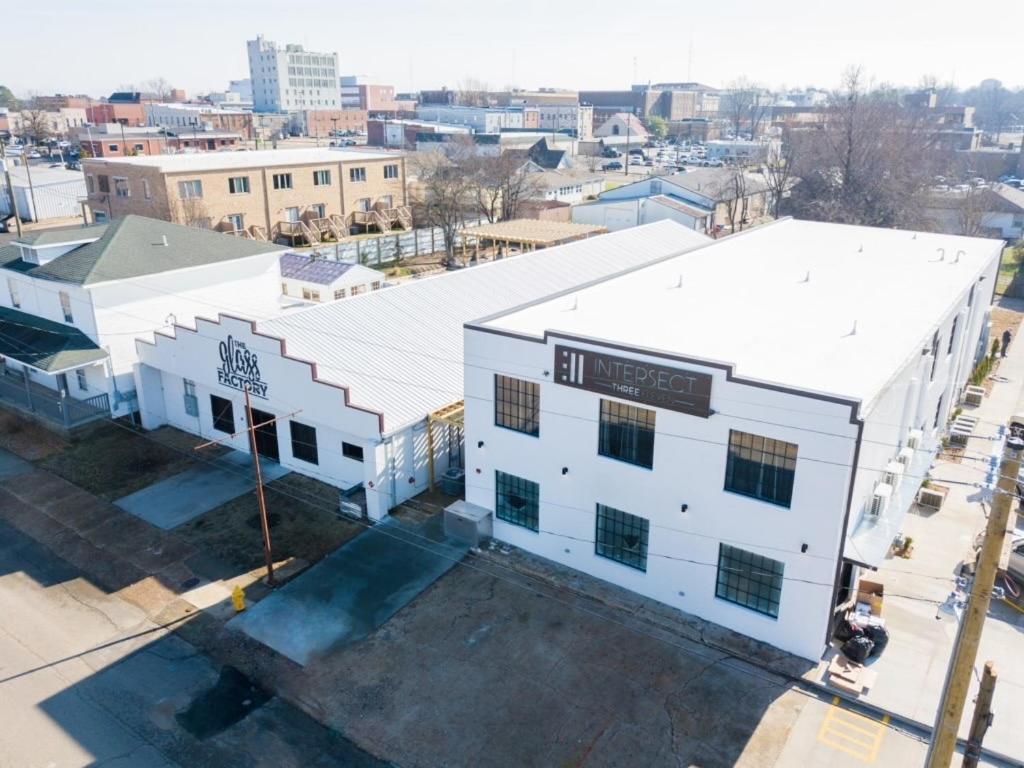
(746, 301)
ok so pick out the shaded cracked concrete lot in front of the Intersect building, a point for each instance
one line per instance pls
(483, 670)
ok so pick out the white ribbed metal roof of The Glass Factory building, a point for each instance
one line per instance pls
(400, 351)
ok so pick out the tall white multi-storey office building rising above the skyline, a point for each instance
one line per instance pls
(289, 78)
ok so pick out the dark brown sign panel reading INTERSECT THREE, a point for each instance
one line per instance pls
(673, 389)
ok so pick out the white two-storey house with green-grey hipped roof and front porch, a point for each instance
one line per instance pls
(73, 303)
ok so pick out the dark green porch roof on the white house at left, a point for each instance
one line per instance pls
(46, 346)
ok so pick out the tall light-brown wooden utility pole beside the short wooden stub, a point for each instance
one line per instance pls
(961, 670)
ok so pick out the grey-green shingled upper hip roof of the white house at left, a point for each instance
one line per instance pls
(134, 246)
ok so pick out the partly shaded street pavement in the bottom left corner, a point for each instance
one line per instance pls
(88, 679)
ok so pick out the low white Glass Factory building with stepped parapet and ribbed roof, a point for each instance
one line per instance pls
(357, 380)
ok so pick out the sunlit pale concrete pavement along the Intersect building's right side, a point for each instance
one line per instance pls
(912, 671)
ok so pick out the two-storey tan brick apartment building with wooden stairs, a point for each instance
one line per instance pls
(292, 195)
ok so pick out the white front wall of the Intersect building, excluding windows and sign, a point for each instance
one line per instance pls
(690, 468)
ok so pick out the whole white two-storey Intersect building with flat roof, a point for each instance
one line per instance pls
(736, 432)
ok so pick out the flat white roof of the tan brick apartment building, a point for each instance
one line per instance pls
(217, 161)
